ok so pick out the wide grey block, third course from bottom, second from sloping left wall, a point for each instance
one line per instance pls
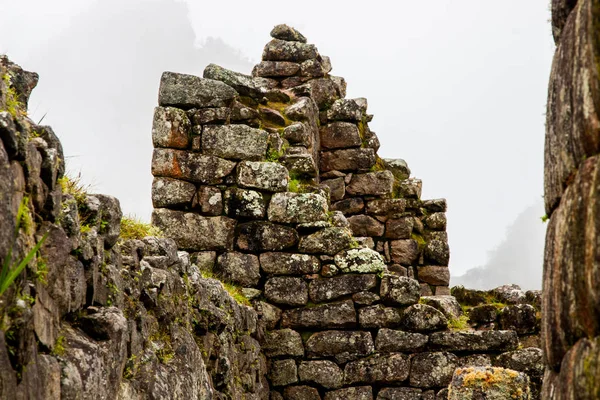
(343, 346)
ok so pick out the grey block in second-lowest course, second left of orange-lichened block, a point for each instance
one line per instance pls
(388, 368)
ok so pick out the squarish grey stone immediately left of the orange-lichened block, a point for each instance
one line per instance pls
(432, 369)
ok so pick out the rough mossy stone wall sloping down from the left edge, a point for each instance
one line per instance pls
(94, 316)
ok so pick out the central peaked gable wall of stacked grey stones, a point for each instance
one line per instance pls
(272, 182)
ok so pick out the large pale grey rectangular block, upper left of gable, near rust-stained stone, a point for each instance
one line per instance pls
(237, 142)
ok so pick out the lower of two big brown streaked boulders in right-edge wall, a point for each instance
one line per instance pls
(571, 299)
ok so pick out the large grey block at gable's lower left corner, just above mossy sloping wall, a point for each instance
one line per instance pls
(194, 232)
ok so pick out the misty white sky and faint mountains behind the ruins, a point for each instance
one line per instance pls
(458, 90)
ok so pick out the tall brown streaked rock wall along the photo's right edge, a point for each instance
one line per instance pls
(571, 305)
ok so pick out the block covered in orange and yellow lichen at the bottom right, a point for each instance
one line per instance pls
(472, 383)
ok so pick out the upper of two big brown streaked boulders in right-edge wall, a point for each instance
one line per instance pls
(572, 120)
